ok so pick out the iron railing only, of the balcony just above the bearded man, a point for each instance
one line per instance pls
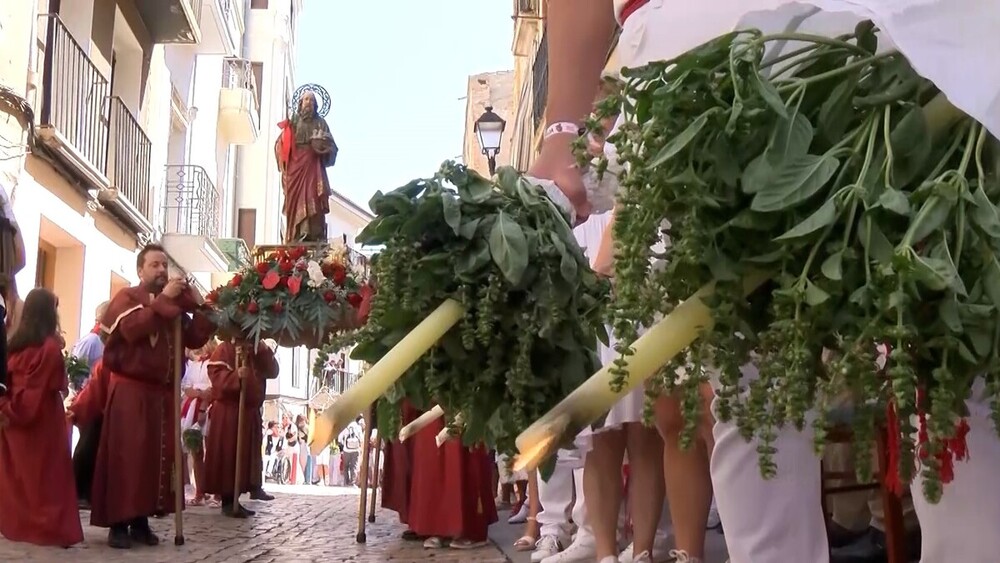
(191, 202)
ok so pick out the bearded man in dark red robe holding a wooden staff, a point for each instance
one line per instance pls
(132, 477)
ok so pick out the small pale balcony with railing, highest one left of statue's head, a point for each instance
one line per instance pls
(239, 110)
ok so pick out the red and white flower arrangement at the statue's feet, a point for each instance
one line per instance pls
(297, 295)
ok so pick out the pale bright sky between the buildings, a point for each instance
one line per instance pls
(395, 71)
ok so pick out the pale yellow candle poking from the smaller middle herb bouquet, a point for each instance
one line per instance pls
(377, 380)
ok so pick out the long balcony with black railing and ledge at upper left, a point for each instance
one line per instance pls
(90, 136)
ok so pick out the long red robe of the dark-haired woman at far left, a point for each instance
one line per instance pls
(37, 491)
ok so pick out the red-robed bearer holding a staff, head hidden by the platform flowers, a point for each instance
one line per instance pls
(223, 419)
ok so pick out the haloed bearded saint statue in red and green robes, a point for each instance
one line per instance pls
(304, 150)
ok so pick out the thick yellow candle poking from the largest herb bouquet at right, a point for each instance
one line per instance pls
(652, 350)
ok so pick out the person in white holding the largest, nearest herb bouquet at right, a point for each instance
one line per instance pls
(781, 520)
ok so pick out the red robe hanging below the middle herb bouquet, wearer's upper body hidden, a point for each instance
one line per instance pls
(451, 492)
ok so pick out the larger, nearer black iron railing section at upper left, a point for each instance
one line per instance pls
(75, 95)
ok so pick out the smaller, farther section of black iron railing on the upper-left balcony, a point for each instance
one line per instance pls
(129, 158)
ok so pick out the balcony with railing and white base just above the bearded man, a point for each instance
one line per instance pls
(192, 219)
